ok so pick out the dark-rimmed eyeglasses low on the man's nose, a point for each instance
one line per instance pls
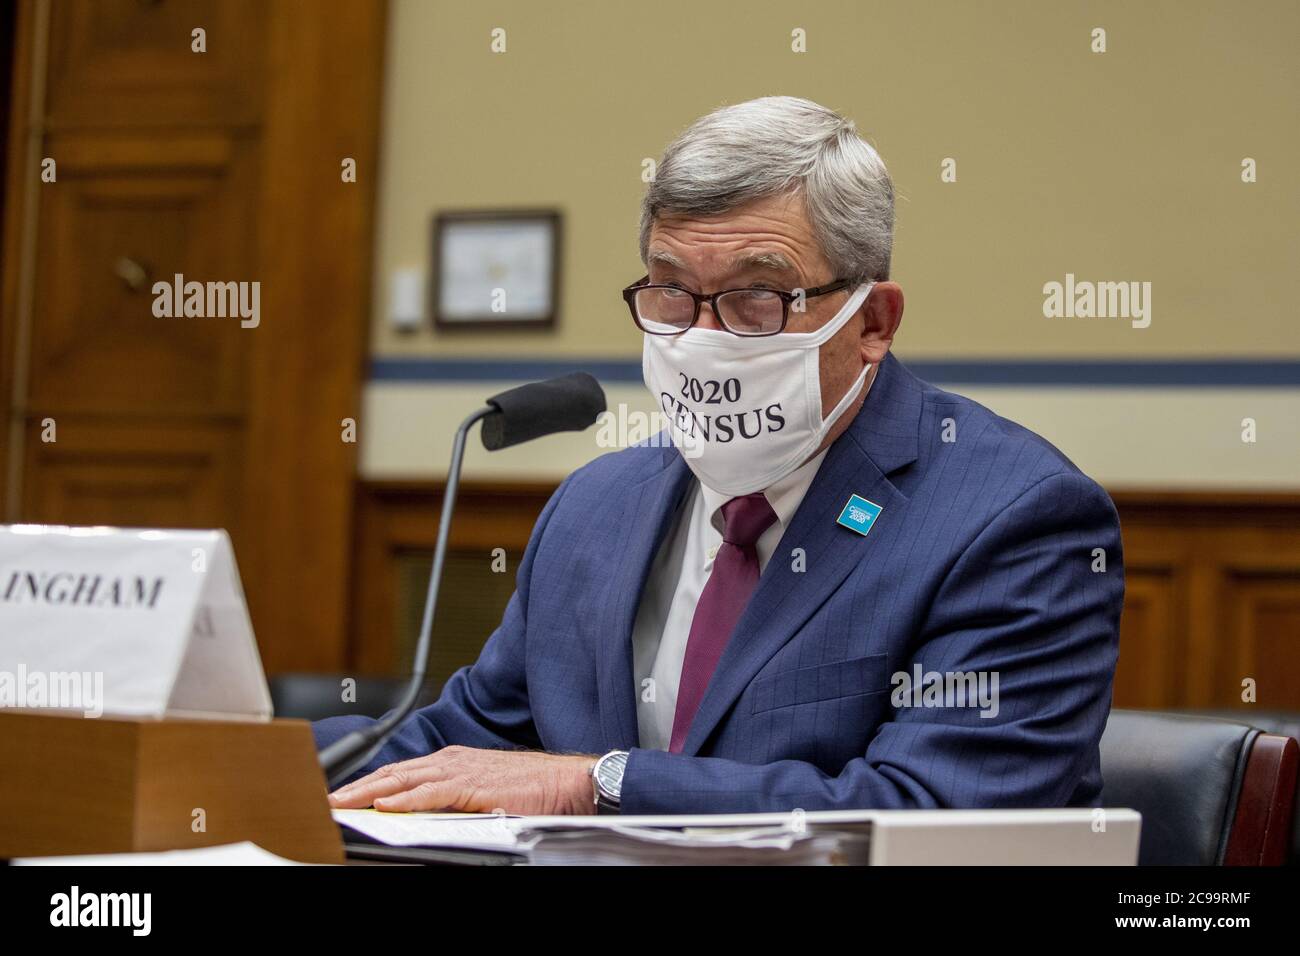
(669, 310)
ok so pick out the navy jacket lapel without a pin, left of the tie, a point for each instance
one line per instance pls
(648, 514)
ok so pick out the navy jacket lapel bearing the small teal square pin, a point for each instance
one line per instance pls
(883, 439)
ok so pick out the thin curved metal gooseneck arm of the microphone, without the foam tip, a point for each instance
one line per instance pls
(353, 751)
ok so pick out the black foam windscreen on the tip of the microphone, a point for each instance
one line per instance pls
(569, 404)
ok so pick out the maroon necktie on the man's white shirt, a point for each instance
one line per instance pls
(733, 581)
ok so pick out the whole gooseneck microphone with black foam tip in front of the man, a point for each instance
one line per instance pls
(569, 404)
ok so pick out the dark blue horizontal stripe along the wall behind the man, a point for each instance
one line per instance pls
(1028, 374)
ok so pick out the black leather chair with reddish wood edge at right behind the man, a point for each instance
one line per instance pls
(1211, 791)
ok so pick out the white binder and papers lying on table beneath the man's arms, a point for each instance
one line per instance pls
(1076, 837)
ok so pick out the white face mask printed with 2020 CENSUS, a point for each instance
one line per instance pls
(747, 412)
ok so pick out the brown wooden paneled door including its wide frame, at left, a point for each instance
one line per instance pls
(222, 167)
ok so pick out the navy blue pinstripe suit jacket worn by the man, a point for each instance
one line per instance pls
(981, 561)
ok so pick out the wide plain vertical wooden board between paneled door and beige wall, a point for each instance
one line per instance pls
(315, 235)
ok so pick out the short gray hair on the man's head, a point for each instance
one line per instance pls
(775, 146)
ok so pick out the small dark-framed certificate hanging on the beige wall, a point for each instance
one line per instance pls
(496, 270)
